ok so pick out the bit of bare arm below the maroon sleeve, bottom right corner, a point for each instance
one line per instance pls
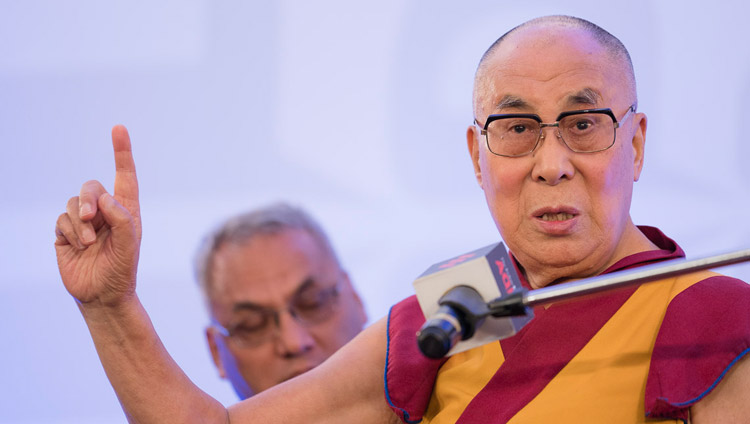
(729, 402)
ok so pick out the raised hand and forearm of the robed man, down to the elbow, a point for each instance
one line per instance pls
(97, 245)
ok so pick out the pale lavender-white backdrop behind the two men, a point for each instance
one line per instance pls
(354, 110)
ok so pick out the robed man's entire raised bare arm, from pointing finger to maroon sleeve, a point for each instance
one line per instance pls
(97, 245)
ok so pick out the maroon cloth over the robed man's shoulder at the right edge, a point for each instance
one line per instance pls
(705, 333)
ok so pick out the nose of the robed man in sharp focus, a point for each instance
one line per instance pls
(552, 163)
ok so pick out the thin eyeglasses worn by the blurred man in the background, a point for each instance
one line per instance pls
(255, 325)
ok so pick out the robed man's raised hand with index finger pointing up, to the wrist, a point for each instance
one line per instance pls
(98, 237)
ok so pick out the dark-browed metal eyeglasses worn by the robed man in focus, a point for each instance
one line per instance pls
(583, 131)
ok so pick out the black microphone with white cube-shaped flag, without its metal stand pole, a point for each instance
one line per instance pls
(457, 313)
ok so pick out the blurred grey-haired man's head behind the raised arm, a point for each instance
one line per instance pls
(280, 302)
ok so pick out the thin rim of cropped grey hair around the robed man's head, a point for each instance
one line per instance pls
(609, 42)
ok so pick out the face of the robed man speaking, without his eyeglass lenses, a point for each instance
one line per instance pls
(562, 214)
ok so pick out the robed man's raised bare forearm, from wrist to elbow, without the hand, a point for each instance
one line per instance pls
(150, 386)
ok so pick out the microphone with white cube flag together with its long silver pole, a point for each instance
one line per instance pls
(463, 316)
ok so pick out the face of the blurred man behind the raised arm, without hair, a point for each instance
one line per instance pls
(272, 272)
